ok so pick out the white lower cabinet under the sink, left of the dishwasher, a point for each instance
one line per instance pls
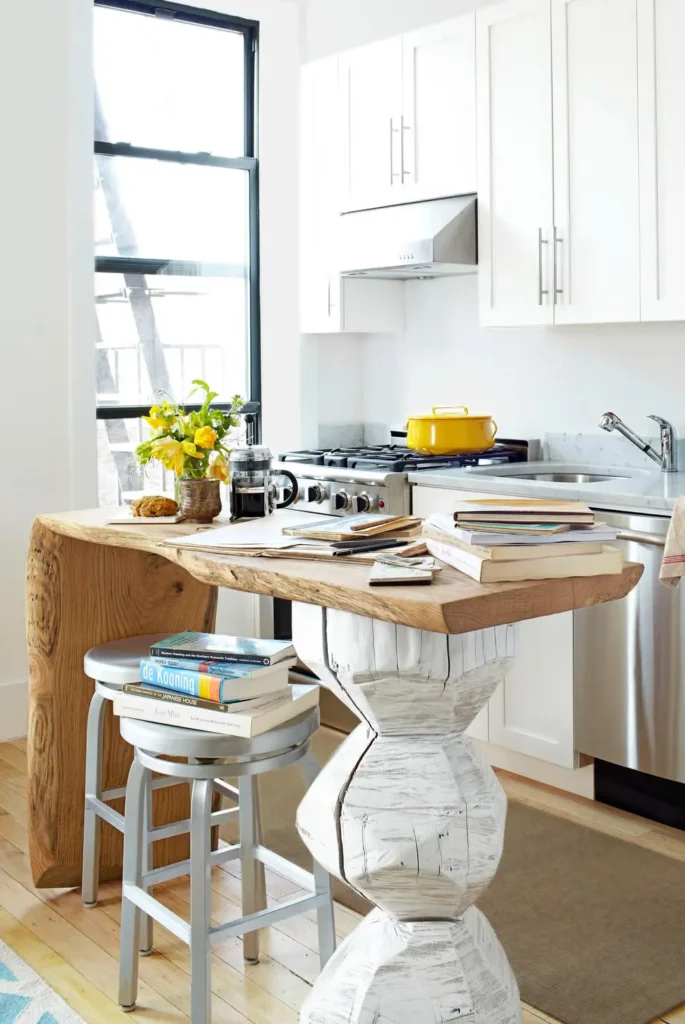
(533, 712)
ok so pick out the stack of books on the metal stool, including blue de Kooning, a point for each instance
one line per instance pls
(233, 686)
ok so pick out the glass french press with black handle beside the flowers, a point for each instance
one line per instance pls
(253, 491)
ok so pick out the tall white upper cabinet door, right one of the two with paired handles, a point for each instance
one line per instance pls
(596, 176)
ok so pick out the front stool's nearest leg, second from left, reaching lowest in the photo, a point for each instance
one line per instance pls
(201, 920)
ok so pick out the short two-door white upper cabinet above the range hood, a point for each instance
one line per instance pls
(409, 117)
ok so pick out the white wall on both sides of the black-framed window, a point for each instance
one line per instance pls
(47, 260)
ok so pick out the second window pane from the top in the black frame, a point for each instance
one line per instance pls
(161, 210)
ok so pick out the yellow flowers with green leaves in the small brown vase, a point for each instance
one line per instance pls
(193, 445)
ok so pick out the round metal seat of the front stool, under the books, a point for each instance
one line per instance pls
(175, 742)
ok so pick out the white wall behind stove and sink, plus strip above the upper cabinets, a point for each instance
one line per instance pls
(533, 380)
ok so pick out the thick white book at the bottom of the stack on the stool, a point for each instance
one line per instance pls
(262, 715)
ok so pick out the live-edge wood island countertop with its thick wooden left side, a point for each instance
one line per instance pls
(89, 583)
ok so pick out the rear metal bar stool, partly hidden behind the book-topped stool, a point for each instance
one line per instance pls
(112, 666)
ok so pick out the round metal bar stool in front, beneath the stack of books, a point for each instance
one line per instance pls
(211, 759)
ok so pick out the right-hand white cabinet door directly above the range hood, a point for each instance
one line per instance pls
(439, 121)
